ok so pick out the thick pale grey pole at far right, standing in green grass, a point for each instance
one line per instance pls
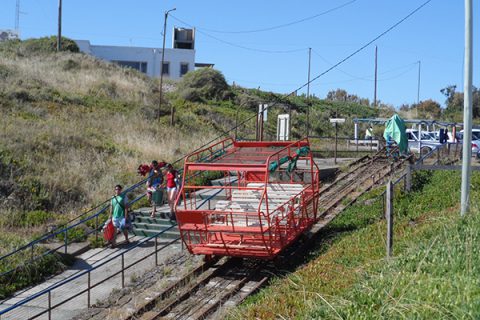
(467, 111)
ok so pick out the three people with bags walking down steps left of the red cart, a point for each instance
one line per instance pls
(119, 213)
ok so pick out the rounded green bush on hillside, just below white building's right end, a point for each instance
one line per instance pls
(203, 84)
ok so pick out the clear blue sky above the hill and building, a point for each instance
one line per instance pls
(266, 43)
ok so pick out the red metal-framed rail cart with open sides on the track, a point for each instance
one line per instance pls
(247, 199)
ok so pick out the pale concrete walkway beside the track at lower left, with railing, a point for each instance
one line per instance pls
(60, 299)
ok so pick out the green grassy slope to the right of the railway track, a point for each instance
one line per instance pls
(434, 272)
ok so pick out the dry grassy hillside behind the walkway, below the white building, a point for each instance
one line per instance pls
(73, 126)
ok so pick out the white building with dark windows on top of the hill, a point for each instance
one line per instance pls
(177, 61)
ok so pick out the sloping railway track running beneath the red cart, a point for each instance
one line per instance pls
(223, 283)
